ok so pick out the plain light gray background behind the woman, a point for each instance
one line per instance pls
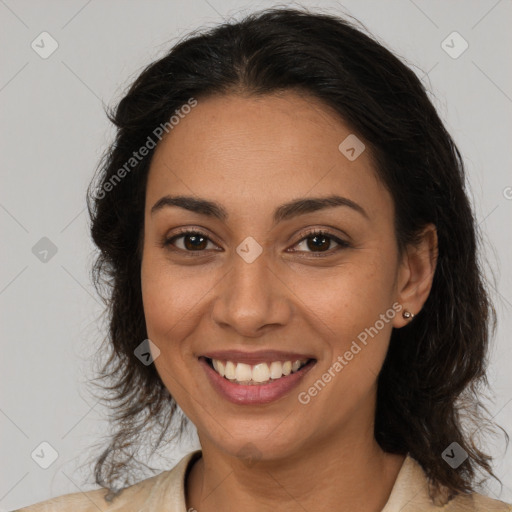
(53, 131)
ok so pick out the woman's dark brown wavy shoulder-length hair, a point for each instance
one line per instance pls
(435, 370)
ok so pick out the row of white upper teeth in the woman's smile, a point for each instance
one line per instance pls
(261, 372)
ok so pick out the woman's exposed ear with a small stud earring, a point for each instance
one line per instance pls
(416, 274)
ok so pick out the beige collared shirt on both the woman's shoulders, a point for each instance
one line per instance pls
(166, 493)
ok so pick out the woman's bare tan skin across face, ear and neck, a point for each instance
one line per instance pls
(252, 155)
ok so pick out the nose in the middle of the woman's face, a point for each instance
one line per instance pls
(252, 297)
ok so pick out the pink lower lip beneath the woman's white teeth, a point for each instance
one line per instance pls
(257, 393)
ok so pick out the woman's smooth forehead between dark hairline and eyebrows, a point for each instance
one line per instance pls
(262, 151)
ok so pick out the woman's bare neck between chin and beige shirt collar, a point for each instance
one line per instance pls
(345, 477)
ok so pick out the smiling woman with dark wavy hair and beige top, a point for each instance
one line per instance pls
(292, 260)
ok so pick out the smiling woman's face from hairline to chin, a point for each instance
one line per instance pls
(256, 281)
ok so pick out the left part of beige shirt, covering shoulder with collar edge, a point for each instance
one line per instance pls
(166, 488)
